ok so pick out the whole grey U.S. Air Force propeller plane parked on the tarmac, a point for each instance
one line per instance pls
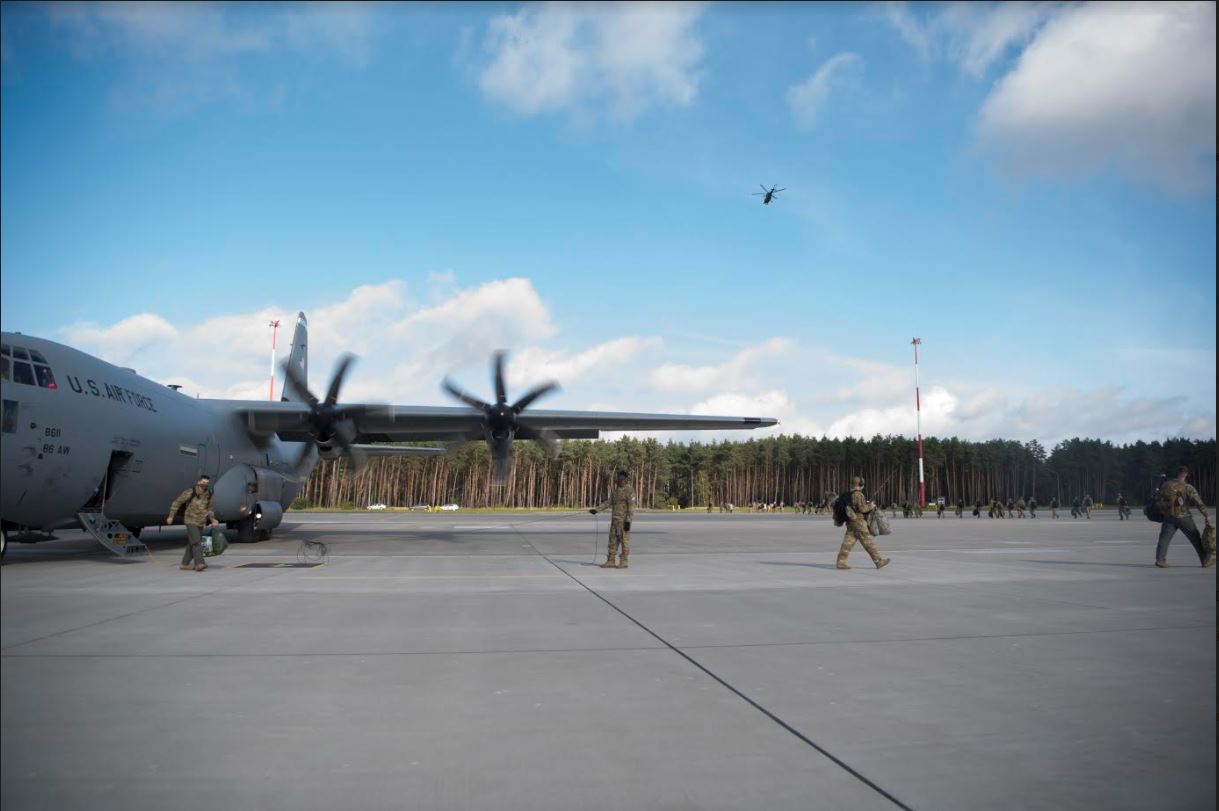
(91, 446)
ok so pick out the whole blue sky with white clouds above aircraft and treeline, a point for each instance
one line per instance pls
(1029, 188)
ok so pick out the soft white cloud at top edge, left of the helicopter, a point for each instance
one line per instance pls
(626, 57)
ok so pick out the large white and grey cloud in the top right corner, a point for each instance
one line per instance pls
(1127, 87)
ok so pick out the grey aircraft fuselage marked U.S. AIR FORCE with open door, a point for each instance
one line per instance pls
(84, 435)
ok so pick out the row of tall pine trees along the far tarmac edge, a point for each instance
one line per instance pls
(772, 470)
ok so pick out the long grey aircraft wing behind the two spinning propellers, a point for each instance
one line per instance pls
(291, 421)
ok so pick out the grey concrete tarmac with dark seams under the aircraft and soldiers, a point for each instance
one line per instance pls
(485, 662)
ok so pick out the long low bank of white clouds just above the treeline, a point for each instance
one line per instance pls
(408, 348)
